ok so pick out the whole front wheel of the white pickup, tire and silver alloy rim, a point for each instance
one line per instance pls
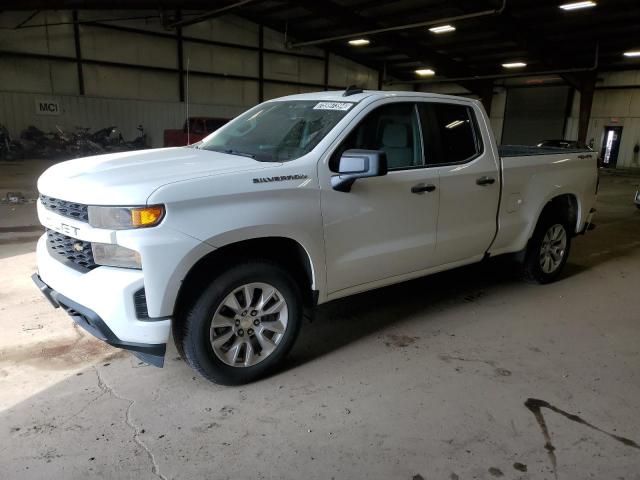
(243, 324)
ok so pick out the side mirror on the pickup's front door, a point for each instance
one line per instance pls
(356, 164)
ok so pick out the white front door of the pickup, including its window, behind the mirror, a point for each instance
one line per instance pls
(381, 228)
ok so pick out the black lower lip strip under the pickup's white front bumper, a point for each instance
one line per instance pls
(92, 323)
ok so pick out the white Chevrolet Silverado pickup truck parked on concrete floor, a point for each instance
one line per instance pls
(299, 201)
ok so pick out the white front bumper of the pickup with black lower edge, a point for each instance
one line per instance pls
(104, 301)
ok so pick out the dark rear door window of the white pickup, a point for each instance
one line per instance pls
(452, 129)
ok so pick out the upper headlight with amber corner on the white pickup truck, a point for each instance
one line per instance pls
(121, 218)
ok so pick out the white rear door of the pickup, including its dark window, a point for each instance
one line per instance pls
(469, 179)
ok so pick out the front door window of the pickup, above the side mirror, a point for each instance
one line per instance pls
(392, 128)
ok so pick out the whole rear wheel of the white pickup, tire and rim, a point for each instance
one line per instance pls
(547, 251)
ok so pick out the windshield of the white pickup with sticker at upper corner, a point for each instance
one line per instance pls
(278, 131)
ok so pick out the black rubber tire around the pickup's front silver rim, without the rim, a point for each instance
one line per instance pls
(195, 338)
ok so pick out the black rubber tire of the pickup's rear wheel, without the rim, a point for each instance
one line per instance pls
(532, 268)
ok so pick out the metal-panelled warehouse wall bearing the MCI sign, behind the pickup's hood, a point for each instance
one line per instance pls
(126, 97)
